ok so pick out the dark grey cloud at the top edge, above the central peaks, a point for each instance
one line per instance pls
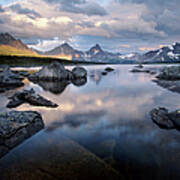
(80, 7)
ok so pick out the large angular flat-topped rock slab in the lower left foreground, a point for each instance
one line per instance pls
(17, 126)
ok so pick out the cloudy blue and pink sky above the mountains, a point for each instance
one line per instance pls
(117, 25)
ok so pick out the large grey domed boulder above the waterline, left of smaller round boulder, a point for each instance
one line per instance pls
(53, 72)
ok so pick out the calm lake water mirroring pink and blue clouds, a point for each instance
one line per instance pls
(109, 117)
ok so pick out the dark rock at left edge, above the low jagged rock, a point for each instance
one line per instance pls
(9, 80)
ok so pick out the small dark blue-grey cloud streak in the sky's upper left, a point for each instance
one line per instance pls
(29, 12)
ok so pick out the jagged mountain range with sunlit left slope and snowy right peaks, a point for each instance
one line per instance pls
(11, 46)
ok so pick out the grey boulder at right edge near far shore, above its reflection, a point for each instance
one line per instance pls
(170, 73)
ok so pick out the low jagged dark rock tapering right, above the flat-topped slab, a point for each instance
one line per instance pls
(29, 96)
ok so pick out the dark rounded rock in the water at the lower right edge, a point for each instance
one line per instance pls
(165, 119)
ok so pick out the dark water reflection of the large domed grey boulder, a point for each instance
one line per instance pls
(56, 87)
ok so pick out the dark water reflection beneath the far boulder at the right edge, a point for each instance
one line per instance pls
(173, 86)
